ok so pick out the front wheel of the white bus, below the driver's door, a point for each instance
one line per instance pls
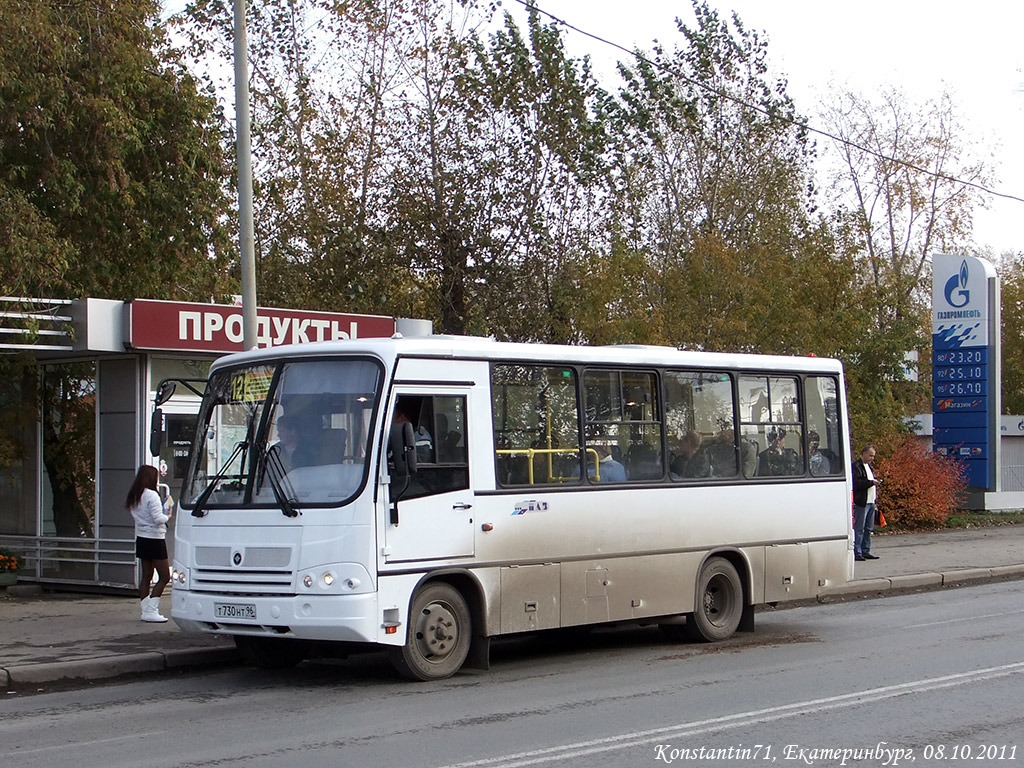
(440, 634)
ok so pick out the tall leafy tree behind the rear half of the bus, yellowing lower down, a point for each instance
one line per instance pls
(714, 189)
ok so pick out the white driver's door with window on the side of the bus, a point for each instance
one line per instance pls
(432, 517)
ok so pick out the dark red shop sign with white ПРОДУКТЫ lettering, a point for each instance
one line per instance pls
(218, 328)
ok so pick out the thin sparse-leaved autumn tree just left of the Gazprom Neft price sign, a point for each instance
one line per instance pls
(906, 179)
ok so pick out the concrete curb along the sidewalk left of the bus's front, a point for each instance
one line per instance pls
(21, 676)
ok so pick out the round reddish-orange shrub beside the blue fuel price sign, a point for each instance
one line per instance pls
(920, 489)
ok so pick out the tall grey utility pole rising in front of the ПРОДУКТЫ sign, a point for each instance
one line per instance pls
(247, 241)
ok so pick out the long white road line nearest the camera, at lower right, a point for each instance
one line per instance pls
(818, 706)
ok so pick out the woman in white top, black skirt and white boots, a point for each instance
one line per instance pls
(151, 540)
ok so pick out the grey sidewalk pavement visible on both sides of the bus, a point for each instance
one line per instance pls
(67, 638)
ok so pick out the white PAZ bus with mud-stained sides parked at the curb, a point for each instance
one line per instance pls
(445, 491)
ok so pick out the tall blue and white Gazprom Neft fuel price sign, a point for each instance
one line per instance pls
(966, 365)
